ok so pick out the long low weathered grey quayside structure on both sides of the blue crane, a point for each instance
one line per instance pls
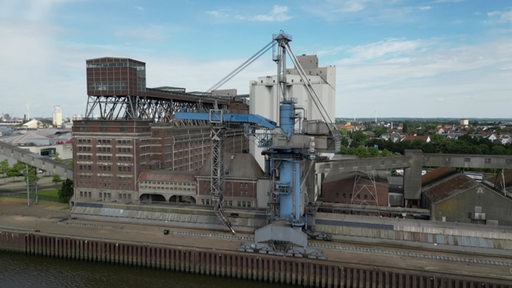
(339, 226)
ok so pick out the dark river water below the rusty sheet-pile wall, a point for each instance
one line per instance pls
(18, 270)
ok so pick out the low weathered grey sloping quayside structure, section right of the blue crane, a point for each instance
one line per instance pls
(415, 231)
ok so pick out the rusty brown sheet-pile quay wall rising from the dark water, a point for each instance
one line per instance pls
(257, 267)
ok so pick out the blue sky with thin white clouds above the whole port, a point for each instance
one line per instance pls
(393, 58)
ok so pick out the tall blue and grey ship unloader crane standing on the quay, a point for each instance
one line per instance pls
(290, 152)
